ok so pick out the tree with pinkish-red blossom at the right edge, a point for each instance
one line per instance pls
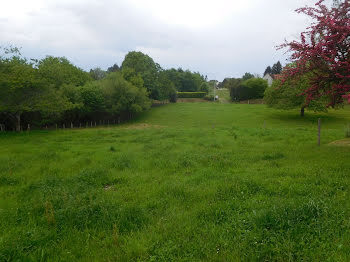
(323, 52)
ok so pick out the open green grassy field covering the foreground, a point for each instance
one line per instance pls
(183, 182)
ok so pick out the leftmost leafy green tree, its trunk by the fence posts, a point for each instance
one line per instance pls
(26, 87)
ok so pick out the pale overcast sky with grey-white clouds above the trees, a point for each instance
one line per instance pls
(219, 38)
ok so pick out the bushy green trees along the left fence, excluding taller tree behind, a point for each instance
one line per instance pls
(53, 90)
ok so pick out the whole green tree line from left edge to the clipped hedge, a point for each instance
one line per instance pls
(53, 91)
